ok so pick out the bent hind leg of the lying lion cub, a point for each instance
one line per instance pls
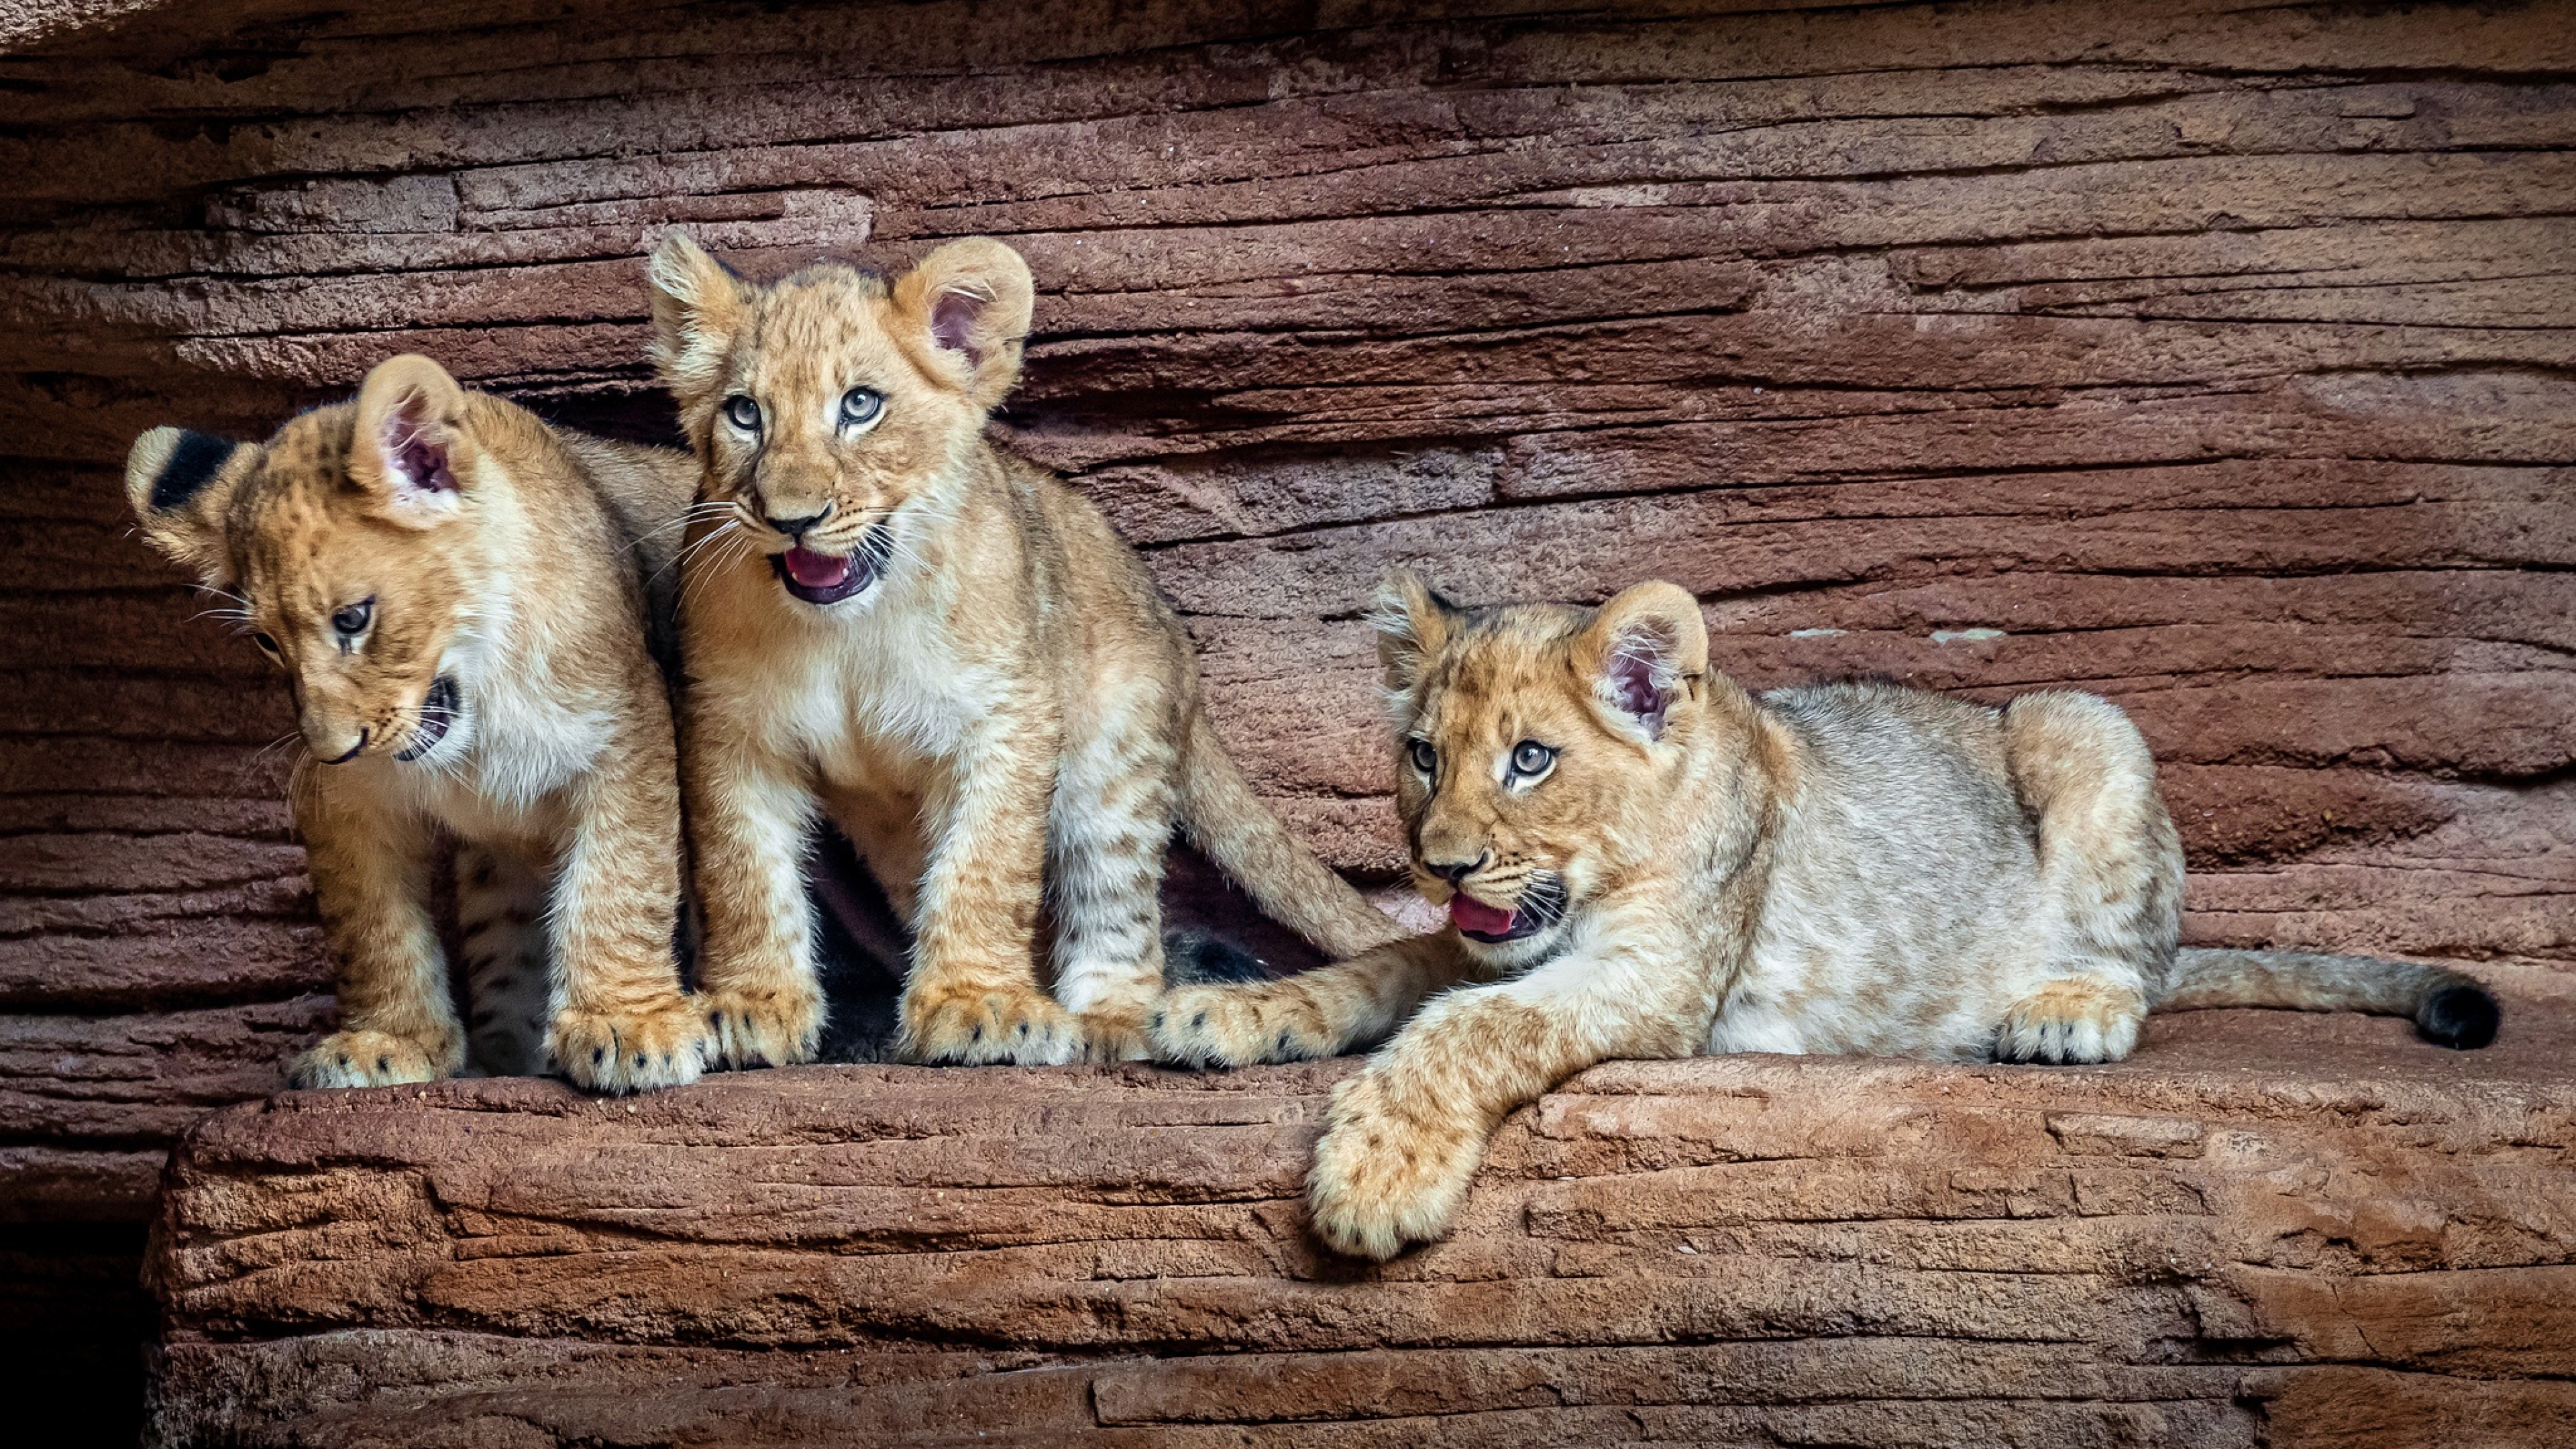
(2111, 878)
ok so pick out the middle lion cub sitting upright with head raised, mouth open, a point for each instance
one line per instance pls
(947, 654)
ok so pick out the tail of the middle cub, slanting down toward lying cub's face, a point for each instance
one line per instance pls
(1279, 873)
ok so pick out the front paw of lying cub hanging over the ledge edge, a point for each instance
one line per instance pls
(1385, 1177)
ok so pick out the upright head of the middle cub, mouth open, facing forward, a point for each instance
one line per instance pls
(828, 404)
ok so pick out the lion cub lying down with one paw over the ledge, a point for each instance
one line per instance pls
(1653, 862)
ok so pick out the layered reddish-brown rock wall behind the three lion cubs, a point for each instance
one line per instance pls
(2209, 357)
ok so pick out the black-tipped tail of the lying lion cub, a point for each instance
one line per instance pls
(2446, 1007)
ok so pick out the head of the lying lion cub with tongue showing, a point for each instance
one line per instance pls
(1537, 749)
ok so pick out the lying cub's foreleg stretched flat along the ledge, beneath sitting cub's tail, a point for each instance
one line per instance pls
(1312, 1015)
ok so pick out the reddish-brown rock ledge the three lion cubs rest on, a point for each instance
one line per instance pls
(2260, 1229)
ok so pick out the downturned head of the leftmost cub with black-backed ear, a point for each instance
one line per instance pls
(349, 545)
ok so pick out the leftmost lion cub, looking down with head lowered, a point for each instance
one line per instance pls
(455, 594)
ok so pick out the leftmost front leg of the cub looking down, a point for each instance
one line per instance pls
(372, 878)
